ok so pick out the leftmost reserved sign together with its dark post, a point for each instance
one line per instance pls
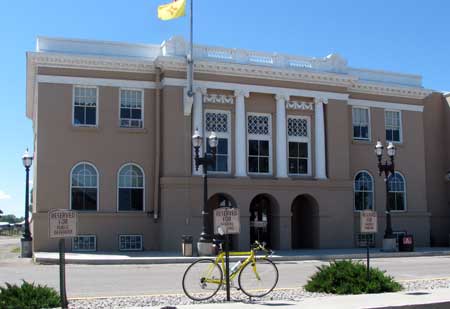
(62, 224)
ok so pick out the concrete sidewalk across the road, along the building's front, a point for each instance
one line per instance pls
(160, 257)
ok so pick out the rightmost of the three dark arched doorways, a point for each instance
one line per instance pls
(305, 222)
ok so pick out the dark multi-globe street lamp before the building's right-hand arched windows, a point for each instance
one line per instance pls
(388, 169)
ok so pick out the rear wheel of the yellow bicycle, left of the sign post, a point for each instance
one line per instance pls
(202, 279)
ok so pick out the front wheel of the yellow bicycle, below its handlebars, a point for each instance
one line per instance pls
(258, 279)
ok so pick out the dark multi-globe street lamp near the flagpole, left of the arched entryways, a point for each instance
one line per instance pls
(204, 245)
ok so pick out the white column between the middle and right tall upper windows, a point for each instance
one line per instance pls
(281, 135)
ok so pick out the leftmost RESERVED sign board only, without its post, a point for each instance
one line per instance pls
(62, 223)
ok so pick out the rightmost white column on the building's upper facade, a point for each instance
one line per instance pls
(320, 138)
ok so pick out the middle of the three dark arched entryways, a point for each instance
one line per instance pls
(264, 220)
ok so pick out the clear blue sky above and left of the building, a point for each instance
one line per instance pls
(404, 36)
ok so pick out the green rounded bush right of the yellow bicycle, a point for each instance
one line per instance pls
(347, 277)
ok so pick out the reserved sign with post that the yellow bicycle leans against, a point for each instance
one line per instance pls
(226, 222)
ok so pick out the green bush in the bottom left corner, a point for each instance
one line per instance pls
(28, 295)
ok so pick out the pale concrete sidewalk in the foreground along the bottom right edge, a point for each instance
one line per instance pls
(436, 299)
